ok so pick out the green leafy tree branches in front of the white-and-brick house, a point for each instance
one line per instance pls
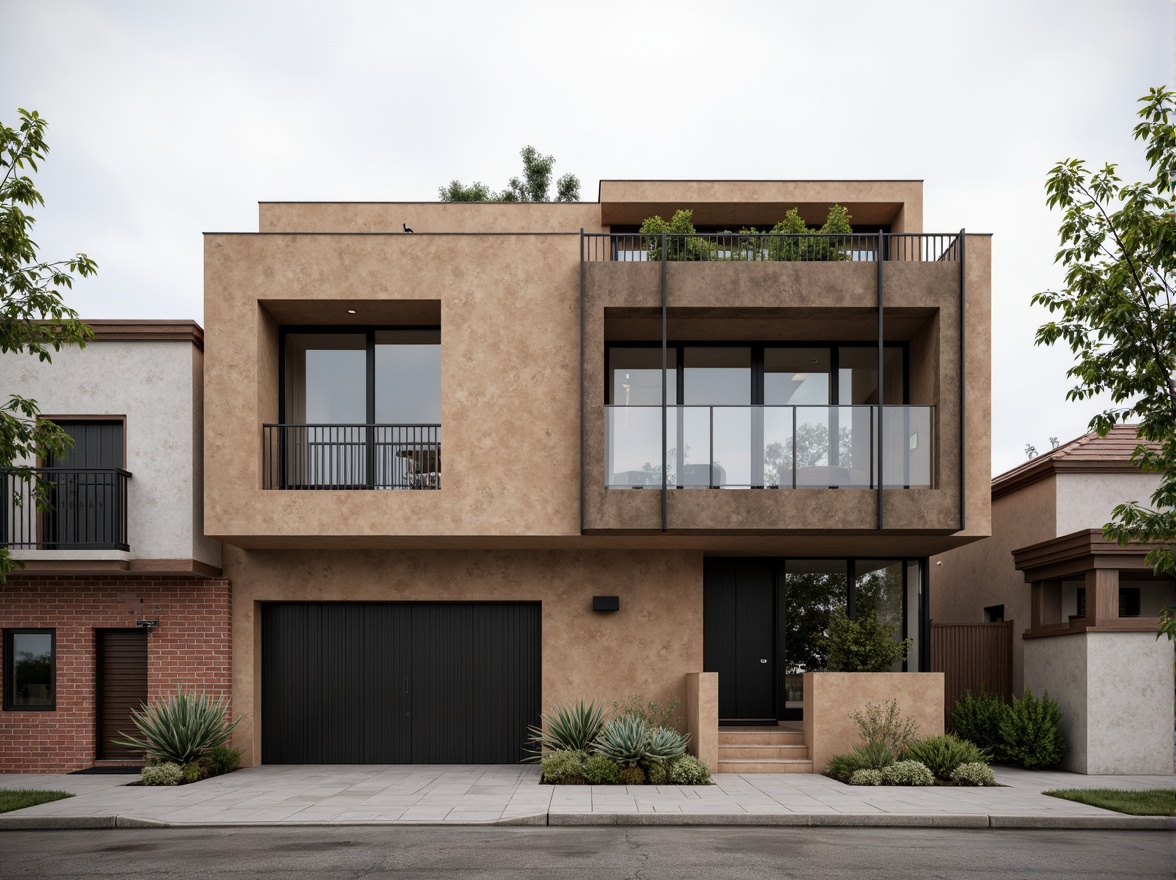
(35, 318)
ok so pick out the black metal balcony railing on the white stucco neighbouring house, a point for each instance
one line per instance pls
(86, 509)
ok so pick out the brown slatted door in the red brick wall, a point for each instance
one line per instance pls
(122, 688)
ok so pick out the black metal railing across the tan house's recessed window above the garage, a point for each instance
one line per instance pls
(352, 457)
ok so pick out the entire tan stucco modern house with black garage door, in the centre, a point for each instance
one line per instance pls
(661, 457)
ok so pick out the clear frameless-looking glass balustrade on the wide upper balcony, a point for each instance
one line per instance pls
(784, 448)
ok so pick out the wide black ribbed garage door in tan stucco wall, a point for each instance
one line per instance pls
(398, 683)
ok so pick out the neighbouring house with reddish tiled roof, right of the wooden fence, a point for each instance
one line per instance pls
(1084, 609)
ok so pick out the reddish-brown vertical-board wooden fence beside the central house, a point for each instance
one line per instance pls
(973, 657)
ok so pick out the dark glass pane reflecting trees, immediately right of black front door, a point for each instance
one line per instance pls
(813, 590)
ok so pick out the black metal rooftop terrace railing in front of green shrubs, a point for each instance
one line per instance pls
(766, 248)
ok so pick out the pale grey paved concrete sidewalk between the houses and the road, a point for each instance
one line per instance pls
(511, 795)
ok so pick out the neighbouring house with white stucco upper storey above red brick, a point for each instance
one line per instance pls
(122, 598)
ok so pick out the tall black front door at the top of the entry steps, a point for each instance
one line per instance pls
(739, 637)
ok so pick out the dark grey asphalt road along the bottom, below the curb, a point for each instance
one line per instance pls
(590, 854)
